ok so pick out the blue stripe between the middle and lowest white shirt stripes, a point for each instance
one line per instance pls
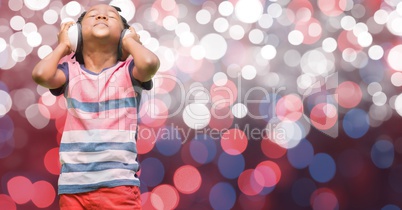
(97, 166)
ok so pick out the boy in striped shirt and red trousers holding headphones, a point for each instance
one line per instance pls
(98, 147)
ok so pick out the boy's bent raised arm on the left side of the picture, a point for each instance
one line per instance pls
(45, 72)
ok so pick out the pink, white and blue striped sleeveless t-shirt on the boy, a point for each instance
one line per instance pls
(98, 145)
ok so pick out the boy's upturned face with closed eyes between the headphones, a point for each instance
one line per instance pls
(102, 21)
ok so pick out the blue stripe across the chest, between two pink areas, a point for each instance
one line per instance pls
(101, 106)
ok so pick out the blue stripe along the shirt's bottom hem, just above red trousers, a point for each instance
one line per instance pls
(72, 189)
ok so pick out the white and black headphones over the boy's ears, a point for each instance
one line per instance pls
(76, 42)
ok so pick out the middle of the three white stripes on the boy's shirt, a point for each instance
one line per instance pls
(101, 156)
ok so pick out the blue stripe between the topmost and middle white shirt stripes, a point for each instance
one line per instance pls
(97, 147)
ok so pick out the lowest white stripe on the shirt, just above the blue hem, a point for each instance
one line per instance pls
(95, 176)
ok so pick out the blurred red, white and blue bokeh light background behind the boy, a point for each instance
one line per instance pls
(277, 104)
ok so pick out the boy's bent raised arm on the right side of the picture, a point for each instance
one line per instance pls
(146, 62)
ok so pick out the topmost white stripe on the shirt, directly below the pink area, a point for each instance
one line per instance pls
(94, 136)
